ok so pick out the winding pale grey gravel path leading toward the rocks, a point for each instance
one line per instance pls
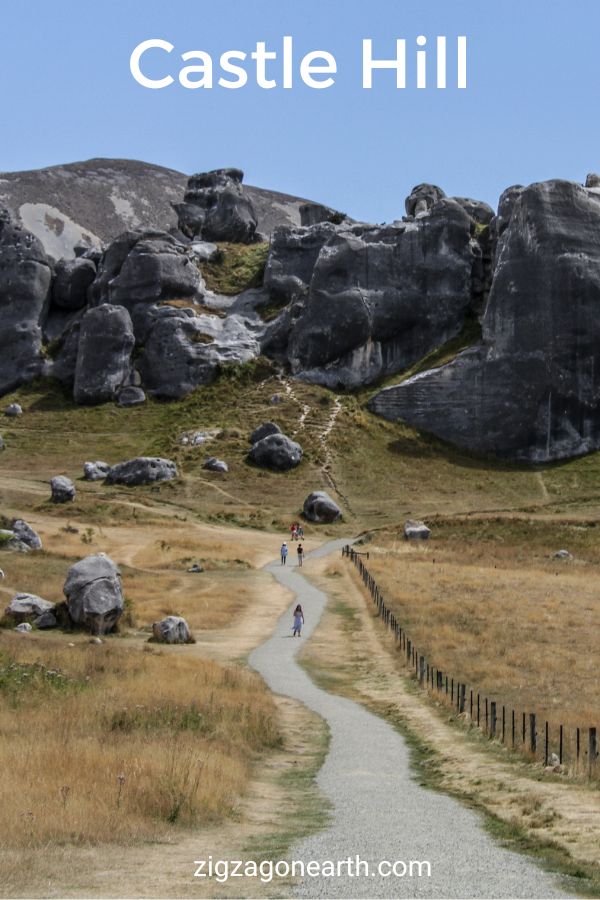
(378, 811)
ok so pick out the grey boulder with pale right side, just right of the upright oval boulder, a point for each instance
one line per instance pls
(184, 350)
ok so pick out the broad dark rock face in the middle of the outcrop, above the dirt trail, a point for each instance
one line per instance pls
(364, 302)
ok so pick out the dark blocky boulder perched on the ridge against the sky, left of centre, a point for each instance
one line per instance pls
(215, 208)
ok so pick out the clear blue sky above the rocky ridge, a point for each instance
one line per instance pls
(530, 111)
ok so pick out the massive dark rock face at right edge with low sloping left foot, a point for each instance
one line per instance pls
(531, 390)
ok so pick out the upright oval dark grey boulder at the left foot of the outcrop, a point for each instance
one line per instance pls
(104, 352)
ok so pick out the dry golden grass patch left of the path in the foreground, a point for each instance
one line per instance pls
(103, 744)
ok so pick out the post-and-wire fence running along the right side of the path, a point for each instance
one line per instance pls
(538, 739)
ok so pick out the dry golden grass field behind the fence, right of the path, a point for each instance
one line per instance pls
(485, 602)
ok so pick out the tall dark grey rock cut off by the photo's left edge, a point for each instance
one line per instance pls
(25, 279)
